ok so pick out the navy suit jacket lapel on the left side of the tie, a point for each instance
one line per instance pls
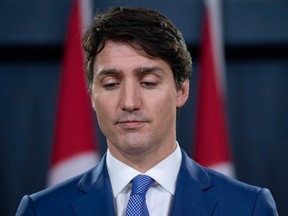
(98, 199)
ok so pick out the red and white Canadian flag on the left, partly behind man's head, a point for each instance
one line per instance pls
(74, 149)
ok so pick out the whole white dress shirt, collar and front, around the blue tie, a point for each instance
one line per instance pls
(159, 196)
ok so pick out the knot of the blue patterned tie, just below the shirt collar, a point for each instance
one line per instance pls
(141, 183)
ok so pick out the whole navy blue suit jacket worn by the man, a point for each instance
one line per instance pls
(199, 192)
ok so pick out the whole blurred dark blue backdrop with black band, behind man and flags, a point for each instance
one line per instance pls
(32, 35)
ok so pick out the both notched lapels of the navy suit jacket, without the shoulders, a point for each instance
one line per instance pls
(190, 198)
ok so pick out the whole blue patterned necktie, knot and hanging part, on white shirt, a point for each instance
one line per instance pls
(137, 202)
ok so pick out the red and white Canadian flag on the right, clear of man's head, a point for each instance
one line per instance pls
(211, 146)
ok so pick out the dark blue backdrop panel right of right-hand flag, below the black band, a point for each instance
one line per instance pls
(258, 114)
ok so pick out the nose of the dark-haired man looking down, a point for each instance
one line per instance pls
(130, 98)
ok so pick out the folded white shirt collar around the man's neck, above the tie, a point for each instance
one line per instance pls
(165, 173)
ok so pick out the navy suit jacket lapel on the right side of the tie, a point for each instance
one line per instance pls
(190, 196)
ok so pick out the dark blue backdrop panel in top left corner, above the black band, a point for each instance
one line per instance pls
(33, 22)
